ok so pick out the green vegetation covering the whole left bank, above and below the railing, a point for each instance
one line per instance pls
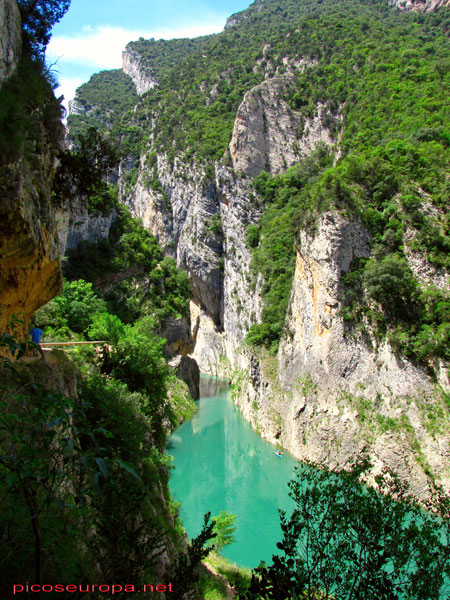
(84, 480)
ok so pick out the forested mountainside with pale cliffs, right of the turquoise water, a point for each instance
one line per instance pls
(296, 165)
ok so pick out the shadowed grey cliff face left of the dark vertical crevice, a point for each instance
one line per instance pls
(181, 218)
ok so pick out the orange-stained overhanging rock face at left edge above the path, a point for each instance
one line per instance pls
(30, 270)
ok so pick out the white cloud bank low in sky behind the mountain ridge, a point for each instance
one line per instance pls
(101, 48)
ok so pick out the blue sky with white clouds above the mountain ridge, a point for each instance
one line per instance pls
(93, 33)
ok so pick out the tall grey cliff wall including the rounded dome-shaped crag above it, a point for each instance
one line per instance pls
(202, 219)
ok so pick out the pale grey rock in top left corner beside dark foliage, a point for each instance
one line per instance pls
(10, 38)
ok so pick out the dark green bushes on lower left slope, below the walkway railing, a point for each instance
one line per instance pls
(84, 480)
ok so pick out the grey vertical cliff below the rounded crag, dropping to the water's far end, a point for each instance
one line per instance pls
(202, 223)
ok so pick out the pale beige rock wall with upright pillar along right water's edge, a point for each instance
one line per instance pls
(331, 394)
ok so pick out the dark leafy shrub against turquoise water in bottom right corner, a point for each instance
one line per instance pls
(347, 541)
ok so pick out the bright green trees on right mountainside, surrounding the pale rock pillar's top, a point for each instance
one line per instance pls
(394, 102)
